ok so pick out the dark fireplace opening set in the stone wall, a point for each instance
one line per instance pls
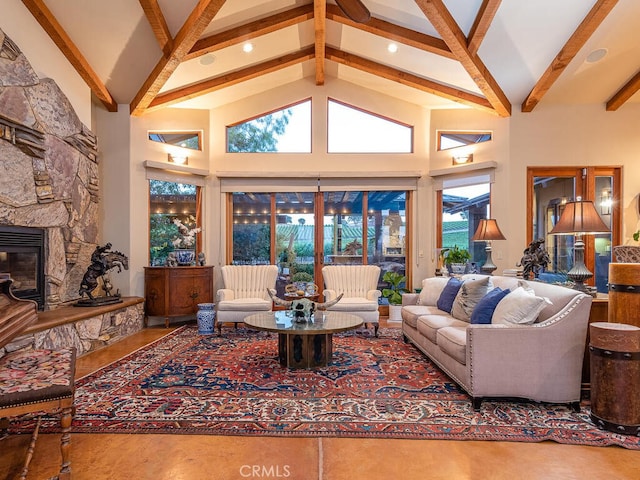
(22, 260)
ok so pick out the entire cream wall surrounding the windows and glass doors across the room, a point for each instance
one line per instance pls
(557, 136)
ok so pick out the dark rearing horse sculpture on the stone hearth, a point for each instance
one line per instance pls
(103, 260)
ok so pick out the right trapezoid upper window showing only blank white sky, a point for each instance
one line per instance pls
(352, 130)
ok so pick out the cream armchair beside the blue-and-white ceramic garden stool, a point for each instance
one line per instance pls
(244, 292)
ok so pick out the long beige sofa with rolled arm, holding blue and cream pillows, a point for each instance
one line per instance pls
(540, 361)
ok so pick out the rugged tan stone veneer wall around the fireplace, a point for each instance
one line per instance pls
(48, 171)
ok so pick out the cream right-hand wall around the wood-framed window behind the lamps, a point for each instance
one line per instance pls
(562, 135)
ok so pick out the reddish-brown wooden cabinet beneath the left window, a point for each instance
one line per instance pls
(176, 291)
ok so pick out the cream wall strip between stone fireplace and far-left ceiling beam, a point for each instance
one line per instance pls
(45, 57)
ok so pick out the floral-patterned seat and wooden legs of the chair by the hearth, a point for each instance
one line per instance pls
(40, 382)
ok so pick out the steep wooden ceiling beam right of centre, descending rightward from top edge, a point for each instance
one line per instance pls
(438, 15)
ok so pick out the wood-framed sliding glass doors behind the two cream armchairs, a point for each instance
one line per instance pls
(355, 227)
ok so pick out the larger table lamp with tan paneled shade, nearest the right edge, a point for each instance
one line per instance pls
(579, 218)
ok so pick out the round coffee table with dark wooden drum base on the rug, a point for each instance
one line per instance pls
(308, 344)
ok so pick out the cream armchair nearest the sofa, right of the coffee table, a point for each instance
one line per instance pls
(359, 286)
